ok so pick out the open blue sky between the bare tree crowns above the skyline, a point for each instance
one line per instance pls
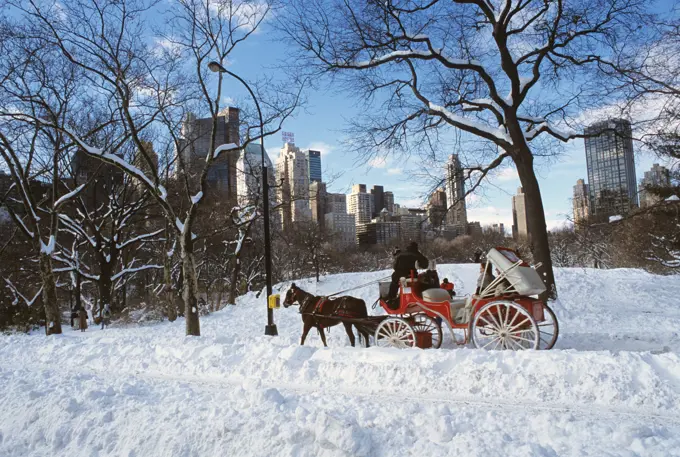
(320, 126)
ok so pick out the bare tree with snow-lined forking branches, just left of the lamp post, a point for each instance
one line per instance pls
(149, 90)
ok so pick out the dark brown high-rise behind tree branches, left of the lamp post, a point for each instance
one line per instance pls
(195, 143)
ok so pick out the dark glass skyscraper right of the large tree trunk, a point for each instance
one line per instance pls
(611, 168)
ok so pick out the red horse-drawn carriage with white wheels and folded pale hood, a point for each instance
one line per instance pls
(504, 314)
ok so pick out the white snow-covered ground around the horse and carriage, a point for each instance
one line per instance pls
(611, 386)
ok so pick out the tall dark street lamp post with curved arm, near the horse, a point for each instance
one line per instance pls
(270, 328)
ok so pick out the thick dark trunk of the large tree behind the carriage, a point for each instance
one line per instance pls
(538, 233)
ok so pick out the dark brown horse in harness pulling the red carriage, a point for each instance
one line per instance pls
(321, 312)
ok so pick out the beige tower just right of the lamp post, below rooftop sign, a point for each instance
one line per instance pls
(293, 192)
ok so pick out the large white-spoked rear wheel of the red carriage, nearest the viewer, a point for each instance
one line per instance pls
(504, 325)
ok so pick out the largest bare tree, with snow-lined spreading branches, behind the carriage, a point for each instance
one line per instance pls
(506, 73)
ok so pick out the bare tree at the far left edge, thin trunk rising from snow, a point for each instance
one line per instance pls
(36, 85)
